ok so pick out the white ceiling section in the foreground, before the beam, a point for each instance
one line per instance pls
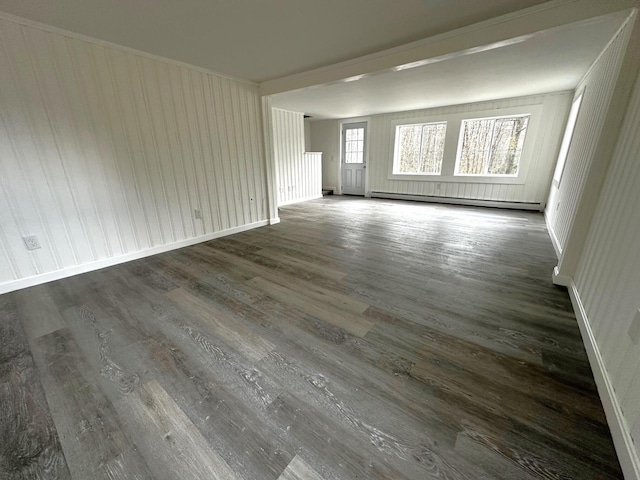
(261, 39)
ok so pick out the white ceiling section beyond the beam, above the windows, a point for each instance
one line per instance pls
(548, 61)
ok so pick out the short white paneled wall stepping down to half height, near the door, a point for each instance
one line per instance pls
(298, 176)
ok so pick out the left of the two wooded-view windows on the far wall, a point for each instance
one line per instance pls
(419, 148)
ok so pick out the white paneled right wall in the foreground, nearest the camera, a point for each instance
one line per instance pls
(608, 274)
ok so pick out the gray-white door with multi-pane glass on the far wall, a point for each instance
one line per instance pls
(353, 158)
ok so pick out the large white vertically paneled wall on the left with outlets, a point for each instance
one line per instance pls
(105, 153)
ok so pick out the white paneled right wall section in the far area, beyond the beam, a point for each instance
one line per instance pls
(598, 87)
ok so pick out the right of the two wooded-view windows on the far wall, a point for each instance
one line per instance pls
(491, 146)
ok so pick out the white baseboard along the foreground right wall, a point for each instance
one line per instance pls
(627, 455)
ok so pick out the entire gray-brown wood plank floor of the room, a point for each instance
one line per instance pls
(358, 339)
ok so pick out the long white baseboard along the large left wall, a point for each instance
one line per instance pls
(108, 262)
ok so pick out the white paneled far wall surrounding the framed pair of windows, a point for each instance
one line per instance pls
(536, 184)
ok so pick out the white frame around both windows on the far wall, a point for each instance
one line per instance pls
(454, 124)
